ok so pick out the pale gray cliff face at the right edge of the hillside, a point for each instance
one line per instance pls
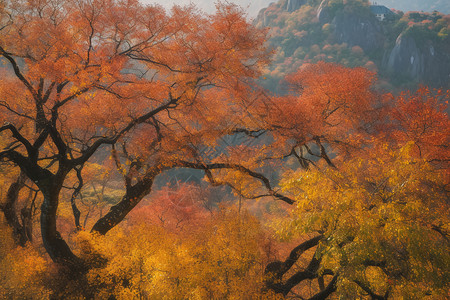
(423, 63)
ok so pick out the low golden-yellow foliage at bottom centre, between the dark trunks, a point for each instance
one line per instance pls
(220, 260)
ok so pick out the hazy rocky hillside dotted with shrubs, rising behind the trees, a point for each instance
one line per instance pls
(405, 49)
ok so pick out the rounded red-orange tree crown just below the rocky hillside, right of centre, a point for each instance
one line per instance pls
(331, 109)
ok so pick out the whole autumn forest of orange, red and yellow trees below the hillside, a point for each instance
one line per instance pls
(141, 157)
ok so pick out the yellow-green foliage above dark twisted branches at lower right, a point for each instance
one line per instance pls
(381, 216)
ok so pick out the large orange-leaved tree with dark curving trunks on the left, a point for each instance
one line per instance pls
(83, 75)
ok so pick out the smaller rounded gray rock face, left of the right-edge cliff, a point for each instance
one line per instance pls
(356, 30)
